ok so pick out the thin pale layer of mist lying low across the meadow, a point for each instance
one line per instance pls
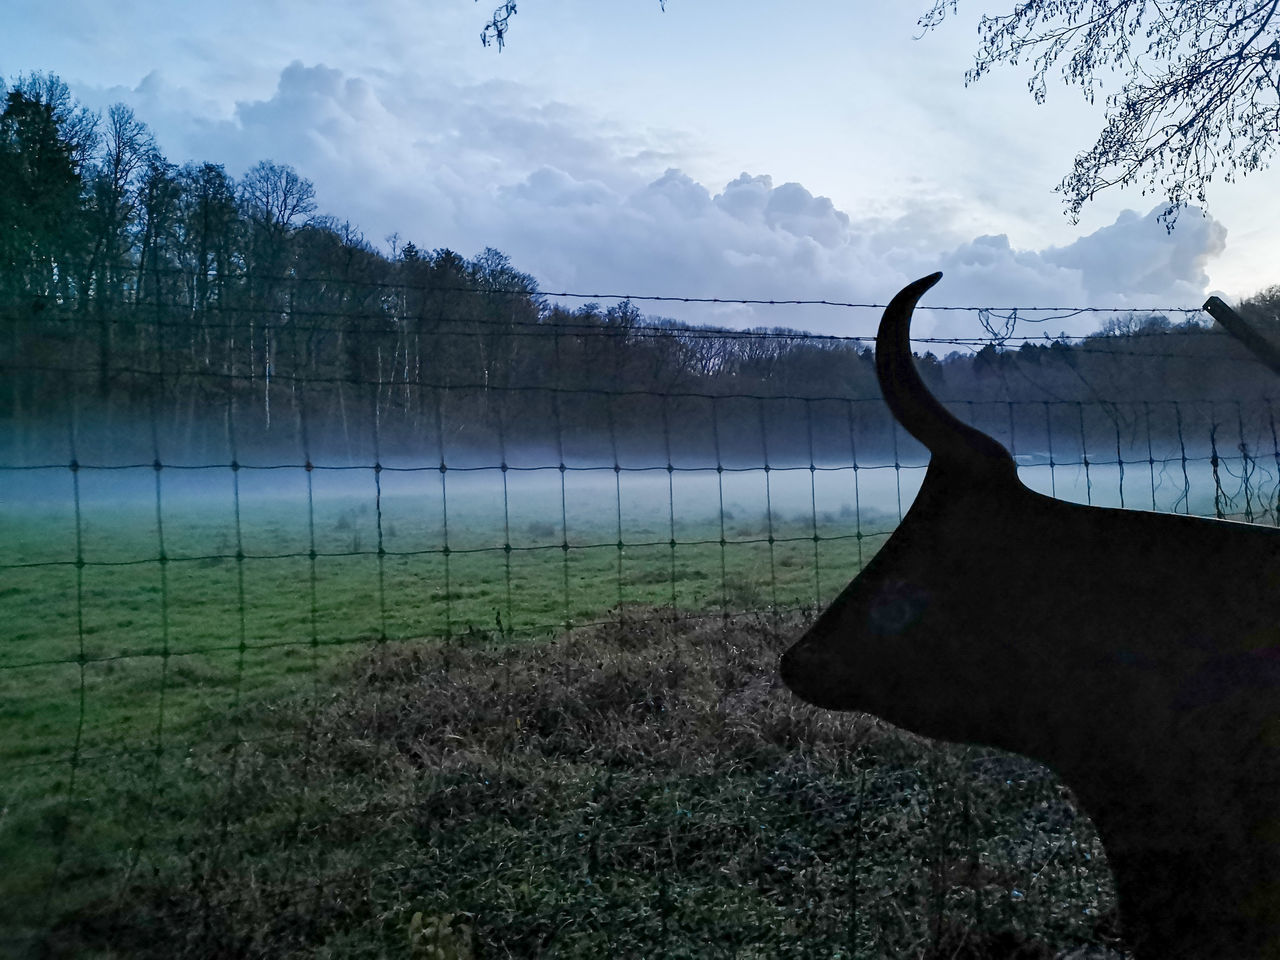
(131, 514)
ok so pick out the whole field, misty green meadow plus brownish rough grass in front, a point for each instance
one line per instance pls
(175, 724)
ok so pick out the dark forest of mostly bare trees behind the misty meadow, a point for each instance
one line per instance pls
(179, 313)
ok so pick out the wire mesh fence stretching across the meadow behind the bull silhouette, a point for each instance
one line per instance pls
(405, 627)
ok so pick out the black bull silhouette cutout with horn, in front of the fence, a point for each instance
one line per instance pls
(1137, 655)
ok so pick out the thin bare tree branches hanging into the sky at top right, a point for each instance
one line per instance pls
(1200, 95)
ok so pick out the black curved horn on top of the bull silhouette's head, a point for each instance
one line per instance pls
(912, 404)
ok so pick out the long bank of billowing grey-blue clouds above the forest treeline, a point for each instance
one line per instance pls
(587, 207)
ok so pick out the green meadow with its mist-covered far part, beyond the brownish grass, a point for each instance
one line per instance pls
(108, 647)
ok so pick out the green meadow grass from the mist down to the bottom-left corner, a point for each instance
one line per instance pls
(118, 671)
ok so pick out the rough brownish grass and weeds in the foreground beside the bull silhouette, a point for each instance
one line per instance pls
(637, 789)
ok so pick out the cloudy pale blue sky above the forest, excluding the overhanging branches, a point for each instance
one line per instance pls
(737, 150)
